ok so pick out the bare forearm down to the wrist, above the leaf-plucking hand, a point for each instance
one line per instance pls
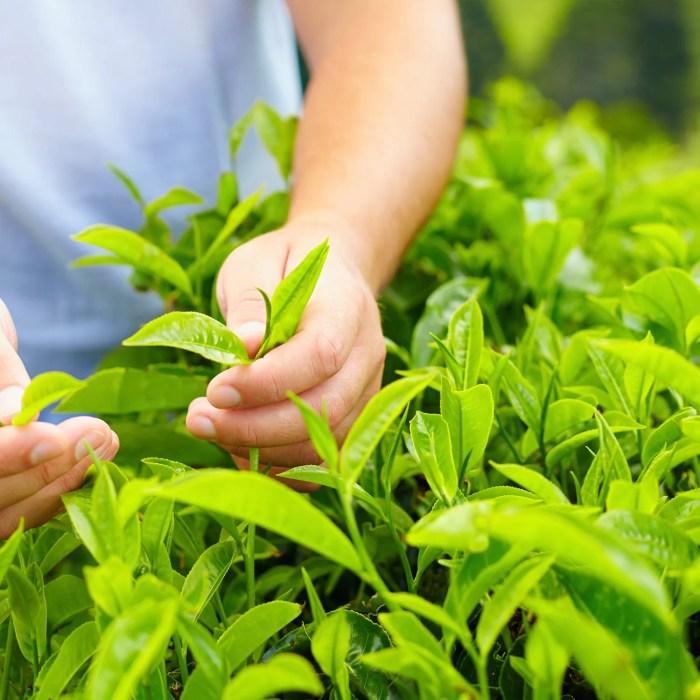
(381, 120)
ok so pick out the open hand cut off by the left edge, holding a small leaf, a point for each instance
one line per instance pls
(39, 461)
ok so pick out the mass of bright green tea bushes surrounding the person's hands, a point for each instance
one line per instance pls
(515, 516)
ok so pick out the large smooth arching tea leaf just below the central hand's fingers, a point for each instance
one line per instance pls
(263, 501)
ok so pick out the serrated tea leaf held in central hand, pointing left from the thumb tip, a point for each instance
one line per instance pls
(194, 332)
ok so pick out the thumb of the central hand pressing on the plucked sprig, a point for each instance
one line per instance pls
(242, 304)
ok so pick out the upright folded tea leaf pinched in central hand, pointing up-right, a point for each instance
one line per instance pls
(290, 298)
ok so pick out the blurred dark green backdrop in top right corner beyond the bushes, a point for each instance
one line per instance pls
(629, 56)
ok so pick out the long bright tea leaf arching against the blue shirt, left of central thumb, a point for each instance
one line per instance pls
(137, 252)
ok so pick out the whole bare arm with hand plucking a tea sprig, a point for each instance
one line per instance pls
(375, 145)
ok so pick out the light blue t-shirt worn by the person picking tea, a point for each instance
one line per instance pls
(152, 87)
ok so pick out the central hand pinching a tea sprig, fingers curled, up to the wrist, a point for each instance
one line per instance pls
(336, 356)
